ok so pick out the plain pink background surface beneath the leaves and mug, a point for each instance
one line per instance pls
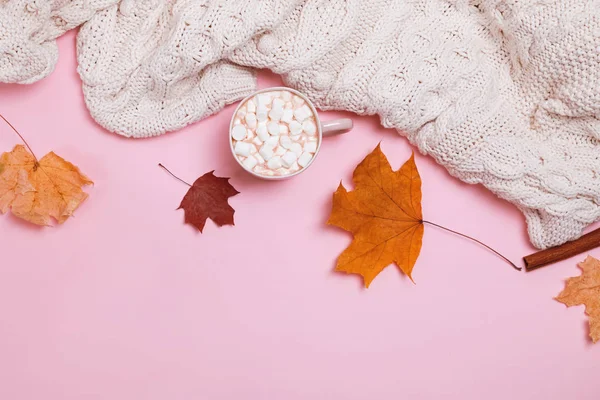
(127, 302)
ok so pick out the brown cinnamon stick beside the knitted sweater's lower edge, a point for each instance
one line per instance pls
(555, 254)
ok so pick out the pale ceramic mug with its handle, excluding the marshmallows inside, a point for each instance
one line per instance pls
(324, 129)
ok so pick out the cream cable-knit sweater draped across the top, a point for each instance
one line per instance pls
(505, 93)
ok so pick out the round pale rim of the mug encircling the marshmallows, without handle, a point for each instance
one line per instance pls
(317, 121)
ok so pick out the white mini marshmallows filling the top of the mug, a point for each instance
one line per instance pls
(275, 134)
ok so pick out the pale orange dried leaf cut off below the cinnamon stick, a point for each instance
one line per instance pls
(585, 290)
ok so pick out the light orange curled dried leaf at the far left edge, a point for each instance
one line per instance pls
(40, 191)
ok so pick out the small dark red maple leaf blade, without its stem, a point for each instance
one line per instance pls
(207, 198)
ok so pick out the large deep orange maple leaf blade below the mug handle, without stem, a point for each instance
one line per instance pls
(384, 215)
